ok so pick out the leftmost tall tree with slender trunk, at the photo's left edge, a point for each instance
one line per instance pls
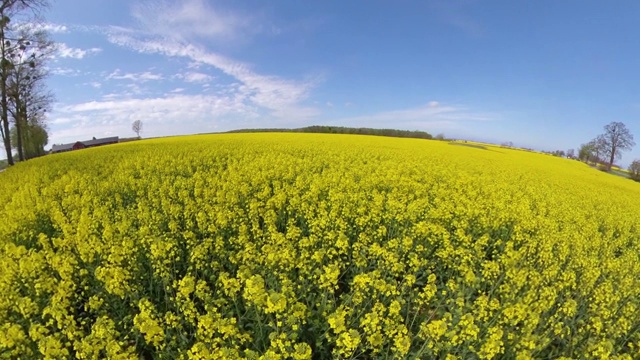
(9, 10)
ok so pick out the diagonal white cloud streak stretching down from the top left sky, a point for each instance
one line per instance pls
(177, 32)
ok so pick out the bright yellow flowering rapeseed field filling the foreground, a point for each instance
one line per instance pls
(300, 246)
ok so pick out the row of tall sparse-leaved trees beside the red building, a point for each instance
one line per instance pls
(25, 49)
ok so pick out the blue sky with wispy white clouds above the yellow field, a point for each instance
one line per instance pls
(541, 74)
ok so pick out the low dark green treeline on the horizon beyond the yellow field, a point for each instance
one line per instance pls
(347, 130)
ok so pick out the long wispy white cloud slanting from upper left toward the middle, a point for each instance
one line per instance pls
(284, 98)
